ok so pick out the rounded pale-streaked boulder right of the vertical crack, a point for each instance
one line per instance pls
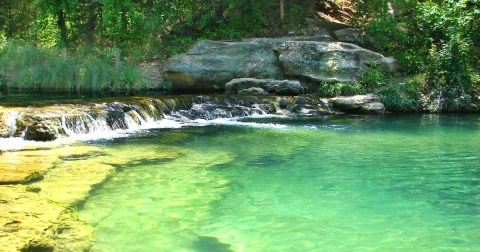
(329, 61)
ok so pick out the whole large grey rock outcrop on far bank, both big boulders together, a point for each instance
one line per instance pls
(309, 60)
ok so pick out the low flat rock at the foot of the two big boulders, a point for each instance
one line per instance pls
(285, 87)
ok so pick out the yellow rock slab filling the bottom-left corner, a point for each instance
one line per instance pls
(30, 222)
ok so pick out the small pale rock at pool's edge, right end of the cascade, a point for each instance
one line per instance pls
(359, 103)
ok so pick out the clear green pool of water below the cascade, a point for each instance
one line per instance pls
(406, 183)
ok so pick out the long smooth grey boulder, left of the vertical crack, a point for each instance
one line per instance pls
(211, 64)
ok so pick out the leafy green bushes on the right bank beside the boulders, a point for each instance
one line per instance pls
(433, 38)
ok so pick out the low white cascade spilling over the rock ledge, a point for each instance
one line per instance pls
(103, 120)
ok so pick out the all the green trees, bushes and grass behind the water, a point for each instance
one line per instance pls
(89, 45)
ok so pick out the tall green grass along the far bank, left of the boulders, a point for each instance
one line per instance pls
(31, 68)
